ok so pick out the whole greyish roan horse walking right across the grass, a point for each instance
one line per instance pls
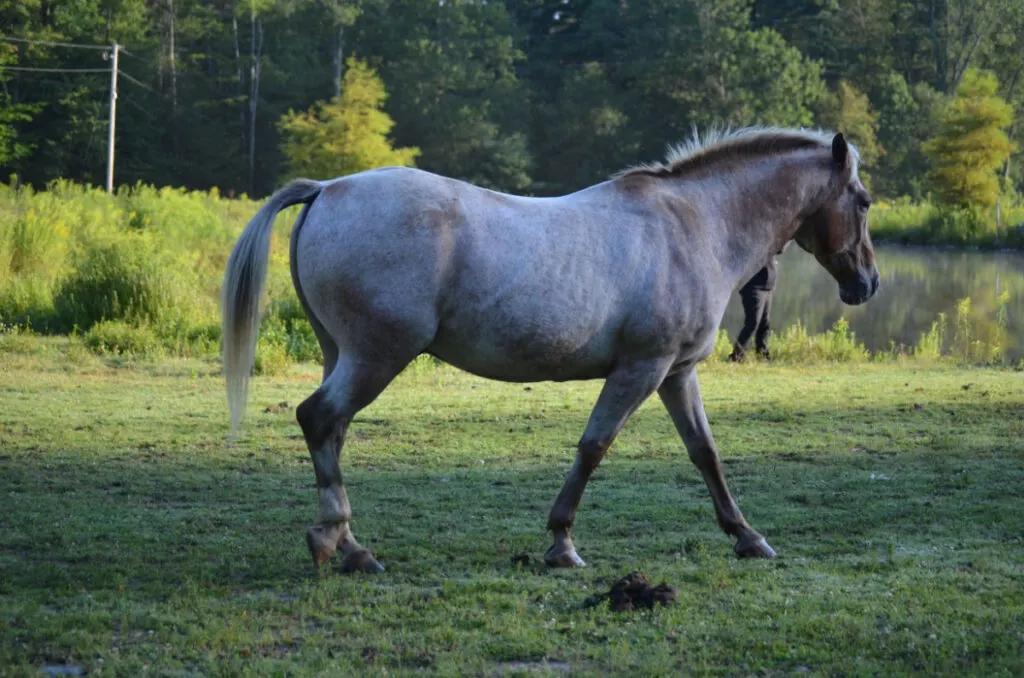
(626, 281)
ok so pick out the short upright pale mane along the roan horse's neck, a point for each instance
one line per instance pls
(719, 146)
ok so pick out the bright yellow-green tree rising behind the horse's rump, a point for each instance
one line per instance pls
(349, 135)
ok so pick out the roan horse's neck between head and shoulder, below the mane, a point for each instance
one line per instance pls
(753, 214)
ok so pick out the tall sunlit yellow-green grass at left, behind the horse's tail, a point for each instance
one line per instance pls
(146, 261)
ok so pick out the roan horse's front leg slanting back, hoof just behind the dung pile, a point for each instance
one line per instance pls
(624, 392)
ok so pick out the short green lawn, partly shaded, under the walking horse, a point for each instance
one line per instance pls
(136, 538)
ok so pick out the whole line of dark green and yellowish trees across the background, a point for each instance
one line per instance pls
(539, 97)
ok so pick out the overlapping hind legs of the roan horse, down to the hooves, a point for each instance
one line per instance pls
(325, 417)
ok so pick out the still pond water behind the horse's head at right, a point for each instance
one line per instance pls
(918, 284)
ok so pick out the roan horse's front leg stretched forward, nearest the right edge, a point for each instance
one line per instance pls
(681, 395)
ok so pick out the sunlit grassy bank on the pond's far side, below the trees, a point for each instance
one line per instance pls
(924, 224)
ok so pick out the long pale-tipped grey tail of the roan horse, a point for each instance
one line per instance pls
(244, 280)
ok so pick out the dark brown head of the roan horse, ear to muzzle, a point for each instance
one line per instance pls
(837, 233)
